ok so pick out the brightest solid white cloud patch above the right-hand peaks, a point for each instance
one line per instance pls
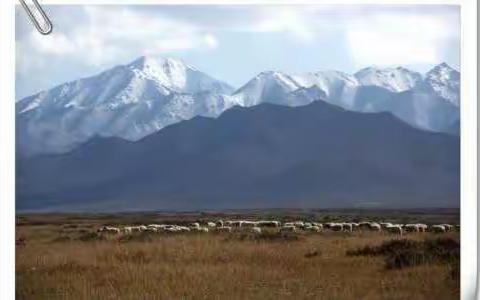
(389, 39)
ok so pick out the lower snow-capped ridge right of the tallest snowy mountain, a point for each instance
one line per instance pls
(397, 90)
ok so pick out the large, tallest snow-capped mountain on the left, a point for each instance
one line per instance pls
(128, 101)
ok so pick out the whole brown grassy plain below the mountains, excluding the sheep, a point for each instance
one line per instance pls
(62, 256)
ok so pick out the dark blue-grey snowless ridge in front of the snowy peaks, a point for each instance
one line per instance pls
(317, 155)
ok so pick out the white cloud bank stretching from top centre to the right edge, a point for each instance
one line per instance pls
(406, 33)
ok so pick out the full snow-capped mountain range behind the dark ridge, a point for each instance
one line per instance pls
(138, 99)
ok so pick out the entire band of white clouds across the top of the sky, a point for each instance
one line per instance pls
(375, 34)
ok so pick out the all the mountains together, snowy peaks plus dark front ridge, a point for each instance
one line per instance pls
(158, 133)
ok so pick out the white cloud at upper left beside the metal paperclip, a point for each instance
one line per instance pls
(107, 34)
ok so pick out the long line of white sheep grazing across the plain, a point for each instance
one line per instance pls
(257, 226)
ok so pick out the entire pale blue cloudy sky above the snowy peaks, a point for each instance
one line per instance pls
(234, 43)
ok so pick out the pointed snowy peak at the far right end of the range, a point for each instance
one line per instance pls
(445, 82)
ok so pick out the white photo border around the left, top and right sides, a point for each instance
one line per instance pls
(468, 121)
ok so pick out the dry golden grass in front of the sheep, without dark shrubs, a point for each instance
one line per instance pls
(219, 266)
